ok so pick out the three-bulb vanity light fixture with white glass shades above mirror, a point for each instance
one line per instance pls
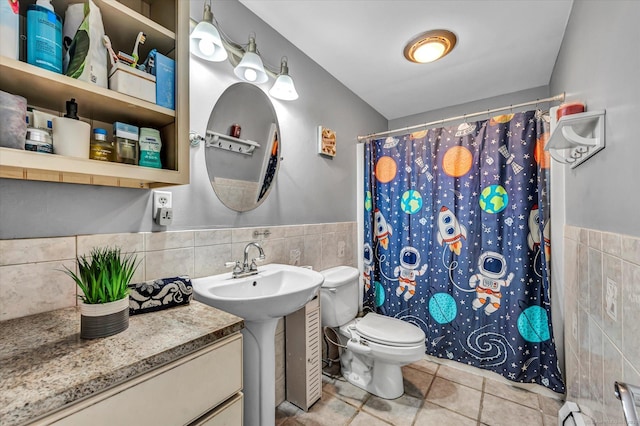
(209, 42)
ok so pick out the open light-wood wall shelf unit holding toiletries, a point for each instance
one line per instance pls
(166, 25)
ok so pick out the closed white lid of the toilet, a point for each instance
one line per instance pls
(387, 330)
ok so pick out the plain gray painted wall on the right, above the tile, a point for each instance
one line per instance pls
(599, 64)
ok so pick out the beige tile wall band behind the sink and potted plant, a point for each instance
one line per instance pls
(32, 281)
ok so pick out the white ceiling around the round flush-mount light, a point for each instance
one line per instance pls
(503, 46)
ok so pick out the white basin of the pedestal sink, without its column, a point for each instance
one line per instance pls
(277, 290)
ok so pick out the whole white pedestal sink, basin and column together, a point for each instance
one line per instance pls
(261, 300)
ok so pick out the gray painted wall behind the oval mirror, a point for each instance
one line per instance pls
(309, 188)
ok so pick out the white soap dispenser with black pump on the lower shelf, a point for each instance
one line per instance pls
(71, 137)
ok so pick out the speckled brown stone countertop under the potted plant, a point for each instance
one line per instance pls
(44, 365)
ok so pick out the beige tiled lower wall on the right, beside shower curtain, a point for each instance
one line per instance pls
(602, 318)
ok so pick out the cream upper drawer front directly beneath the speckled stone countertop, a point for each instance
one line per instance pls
(175, 394)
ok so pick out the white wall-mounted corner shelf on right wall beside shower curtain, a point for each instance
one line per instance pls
(577, 137)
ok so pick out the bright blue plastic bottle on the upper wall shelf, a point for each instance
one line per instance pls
(44, 36)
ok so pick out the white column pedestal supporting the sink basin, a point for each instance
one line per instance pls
(259, 380)
